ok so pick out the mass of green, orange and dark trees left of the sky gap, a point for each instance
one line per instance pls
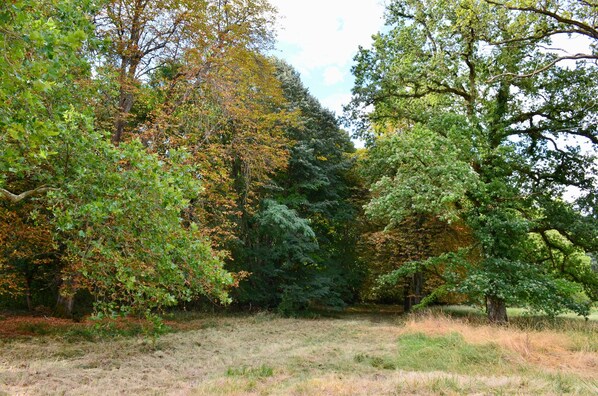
(154, 154)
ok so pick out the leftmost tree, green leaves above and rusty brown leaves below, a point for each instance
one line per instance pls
(43, 73)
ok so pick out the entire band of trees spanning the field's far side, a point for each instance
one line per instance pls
(153, 154)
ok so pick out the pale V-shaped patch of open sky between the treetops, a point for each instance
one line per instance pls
(320, 38)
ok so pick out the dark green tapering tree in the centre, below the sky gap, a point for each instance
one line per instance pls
(299, 247)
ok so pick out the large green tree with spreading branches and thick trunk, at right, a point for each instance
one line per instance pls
(476, 133)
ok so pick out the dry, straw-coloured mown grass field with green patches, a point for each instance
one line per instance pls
(356, 353)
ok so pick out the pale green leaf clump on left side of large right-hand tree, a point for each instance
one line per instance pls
(419, 182)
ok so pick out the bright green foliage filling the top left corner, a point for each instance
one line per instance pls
(40, 77)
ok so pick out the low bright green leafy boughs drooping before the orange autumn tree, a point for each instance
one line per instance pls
(120, 220)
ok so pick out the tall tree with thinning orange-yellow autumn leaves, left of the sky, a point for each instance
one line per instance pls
(218, 96)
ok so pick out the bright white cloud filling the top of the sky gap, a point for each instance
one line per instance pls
(326, 32)
